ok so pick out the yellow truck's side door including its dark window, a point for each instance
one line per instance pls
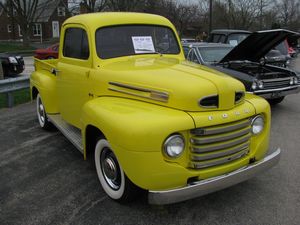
(73, 73)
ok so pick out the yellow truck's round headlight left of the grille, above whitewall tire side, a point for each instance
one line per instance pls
(174, 146)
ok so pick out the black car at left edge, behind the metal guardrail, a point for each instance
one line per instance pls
(11, 64)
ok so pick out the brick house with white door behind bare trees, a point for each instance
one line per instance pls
(46, 27)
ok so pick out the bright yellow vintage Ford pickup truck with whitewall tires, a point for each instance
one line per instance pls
(123, 93)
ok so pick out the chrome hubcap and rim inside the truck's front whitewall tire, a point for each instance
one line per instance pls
(110, 169)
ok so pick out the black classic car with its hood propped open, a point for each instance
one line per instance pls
(247, 63)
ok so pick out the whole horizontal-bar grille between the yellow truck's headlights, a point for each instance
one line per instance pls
(217, 145)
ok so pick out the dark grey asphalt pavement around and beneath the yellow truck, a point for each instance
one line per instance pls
(44, 180)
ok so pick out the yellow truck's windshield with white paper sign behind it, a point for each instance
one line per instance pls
(127, 40)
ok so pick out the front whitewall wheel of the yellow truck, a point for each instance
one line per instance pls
(111, 175)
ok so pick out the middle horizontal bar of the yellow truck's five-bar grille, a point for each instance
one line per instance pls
(204, 149)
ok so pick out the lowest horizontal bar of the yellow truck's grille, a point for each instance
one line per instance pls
(201, 165)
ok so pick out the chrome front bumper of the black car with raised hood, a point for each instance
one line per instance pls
(276, 93)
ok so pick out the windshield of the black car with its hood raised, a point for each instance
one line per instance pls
(213, 54)
